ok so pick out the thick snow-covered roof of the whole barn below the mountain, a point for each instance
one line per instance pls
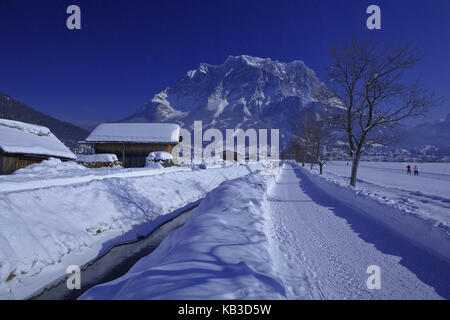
(136, 132)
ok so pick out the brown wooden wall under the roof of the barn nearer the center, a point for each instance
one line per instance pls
(135, 153)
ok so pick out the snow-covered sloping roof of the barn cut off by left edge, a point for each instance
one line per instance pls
(20, 137)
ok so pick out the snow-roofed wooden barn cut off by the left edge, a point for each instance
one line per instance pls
(22, 144)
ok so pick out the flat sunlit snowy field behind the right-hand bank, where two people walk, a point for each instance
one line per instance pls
(426, 196)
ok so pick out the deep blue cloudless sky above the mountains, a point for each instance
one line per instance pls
(129, 50)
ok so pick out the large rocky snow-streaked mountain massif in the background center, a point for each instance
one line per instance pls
(243, 92)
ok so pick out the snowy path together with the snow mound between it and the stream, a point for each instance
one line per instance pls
(282, 237)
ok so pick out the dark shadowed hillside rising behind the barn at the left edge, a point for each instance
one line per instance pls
(14, 110)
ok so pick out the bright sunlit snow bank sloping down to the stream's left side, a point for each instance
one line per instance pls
(43, 230)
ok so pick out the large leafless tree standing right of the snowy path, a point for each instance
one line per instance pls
(366, 84)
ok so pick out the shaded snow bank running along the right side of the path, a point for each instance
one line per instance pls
(421, 229)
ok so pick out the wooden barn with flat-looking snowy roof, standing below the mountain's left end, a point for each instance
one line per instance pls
(132, 142)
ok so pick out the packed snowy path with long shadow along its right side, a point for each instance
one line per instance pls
(322, 249)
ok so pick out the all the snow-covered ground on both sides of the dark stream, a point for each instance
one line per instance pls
(291, 235)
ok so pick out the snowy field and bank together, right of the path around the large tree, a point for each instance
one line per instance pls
(420, 203)
